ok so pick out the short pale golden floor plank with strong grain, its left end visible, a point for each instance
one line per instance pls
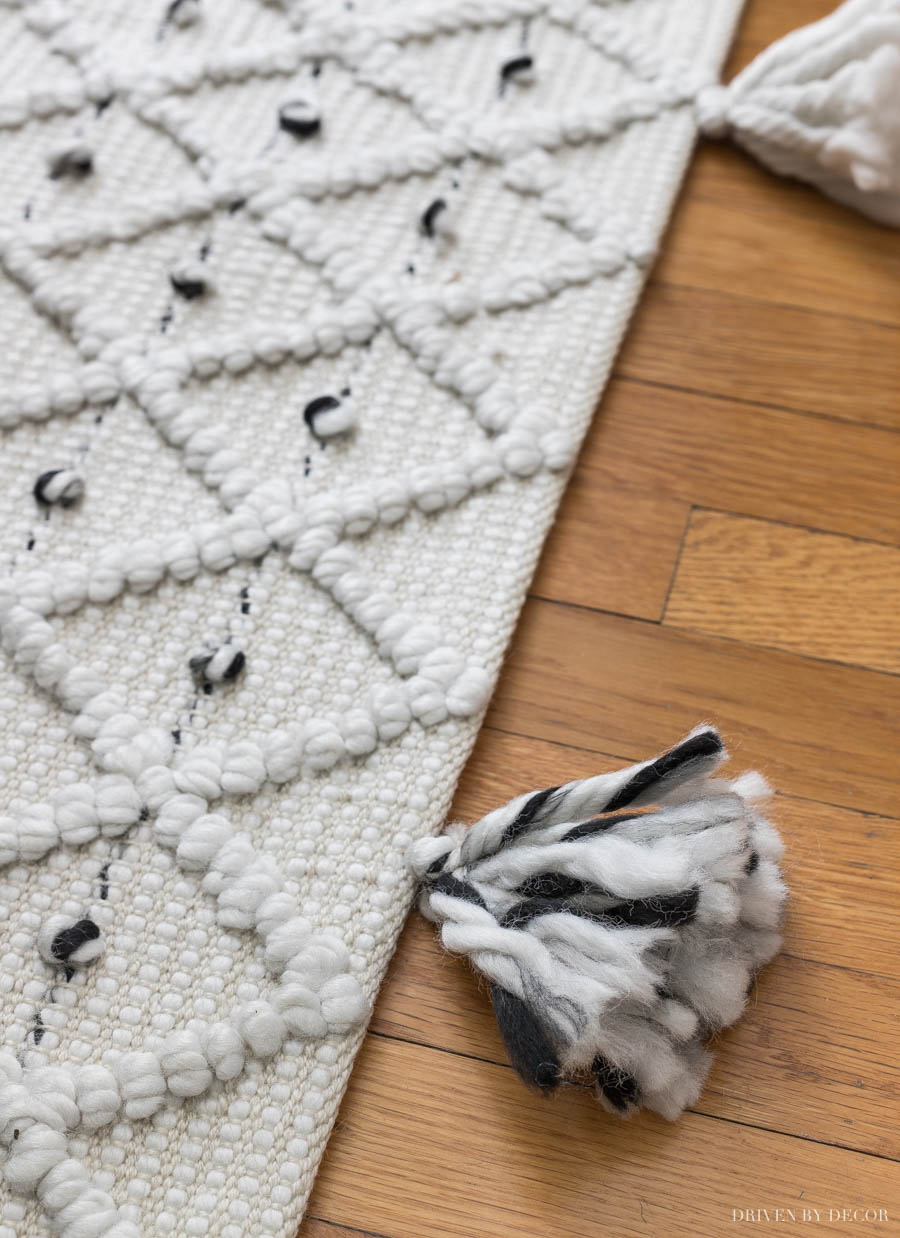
(787, 589)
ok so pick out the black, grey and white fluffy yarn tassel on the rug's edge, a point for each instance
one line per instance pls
(620, 920)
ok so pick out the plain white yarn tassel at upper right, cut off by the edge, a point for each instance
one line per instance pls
(824, 106)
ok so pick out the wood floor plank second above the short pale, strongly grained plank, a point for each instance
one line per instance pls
(730, 345)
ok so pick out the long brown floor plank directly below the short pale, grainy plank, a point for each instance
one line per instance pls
(600, 682)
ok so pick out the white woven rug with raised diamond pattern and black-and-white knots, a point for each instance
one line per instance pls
(305, 314)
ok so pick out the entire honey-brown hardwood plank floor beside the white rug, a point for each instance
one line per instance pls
(729, 549)
